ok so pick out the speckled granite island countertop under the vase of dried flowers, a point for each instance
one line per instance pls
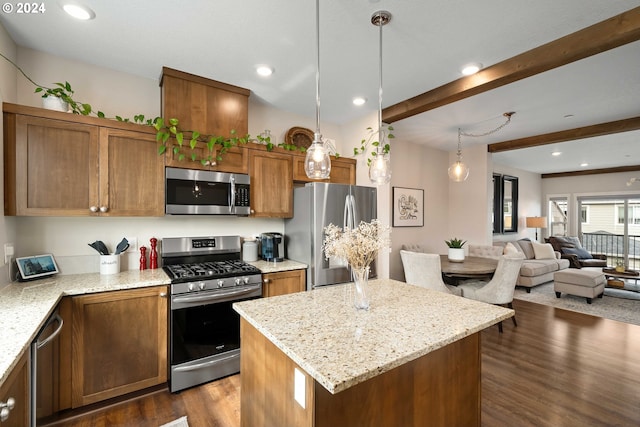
(340, 346)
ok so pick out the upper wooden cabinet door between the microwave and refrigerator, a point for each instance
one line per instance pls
(271, 184)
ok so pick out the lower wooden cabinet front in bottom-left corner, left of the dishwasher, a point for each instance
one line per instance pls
(16, 386)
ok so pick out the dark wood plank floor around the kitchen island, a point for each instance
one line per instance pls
(557, 368)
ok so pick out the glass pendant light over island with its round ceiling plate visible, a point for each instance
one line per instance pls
(380, 166)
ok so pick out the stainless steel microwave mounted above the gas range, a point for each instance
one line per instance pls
(197, 192)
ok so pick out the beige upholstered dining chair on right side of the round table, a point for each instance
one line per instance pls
(499, 290)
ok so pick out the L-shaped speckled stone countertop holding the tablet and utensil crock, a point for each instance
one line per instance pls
(25, 306)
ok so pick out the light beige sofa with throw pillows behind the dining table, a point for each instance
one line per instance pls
(538, 266)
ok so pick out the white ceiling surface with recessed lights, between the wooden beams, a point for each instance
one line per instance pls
(425, 44)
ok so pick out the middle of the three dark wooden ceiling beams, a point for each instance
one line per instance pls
(567, 135)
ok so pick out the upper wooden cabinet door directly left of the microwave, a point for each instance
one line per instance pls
(131, 174)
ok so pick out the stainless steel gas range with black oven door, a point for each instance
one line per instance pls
(207, 277)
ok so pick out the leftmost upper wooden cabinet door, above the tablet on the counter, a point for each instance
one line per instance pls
(56, 168)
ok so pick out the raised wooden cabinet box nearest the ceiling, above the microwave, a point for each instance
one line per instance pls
(204, 105)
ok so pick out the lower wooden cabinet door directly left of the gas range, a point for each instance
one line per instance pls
(119, 343)
